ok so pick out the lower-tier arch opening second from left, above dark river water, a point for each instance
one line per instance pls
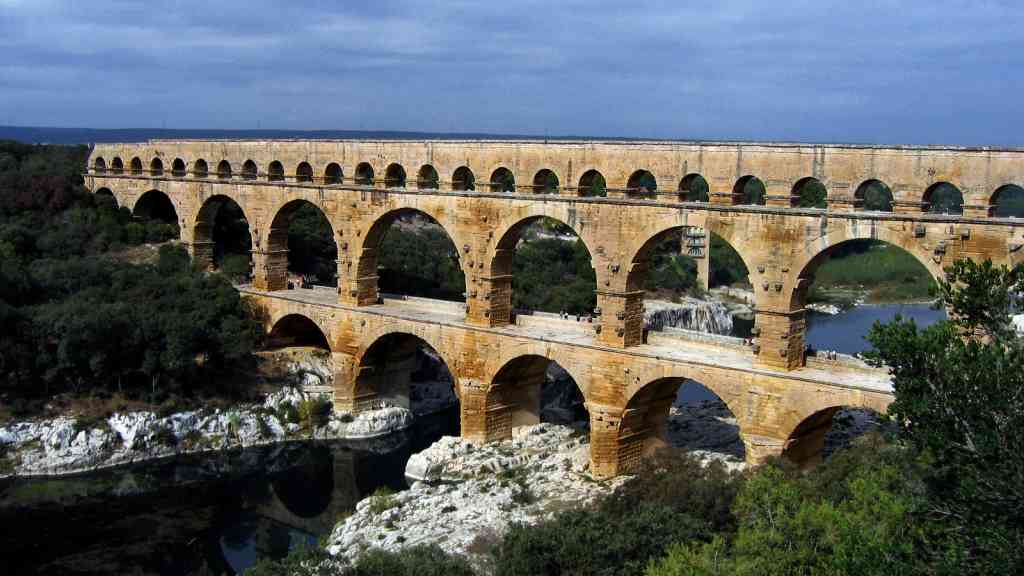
(404, 369)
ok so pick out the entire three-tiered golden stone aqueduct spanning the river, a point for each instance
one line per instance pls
(783, 399)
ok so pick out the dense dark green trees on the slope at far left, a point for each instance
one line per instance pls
(78, 315)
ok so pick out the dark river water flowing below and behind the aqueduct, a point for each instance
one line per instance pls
(218, 515)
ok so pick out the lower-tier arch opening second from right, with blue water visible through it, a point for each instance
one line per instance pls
(650, 421)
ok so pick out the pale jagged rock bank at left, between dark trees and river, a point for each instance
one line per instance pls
(64, 445)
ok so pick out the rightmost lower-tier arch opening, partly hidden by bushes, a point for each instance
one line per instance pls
(806, 445)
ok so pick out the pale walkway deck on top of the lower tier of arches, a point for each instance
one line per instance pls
(662, 346)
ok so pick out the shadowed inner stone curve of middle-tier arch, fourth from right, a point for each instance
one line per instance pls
(368, 266)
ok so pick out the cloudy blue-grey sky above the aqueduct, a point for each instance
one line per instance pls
(886, 72)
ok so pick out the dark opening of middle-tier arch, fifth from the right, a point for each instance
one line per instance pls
(306, 255)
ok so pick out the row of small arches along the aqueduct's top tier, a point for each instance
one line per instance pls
(804, 192)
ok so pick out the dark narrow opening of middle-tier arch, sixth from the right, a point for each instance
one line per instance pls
(221, 216)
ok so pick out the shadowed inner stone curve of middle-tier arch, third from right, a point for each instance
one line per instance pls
(501, 268)
